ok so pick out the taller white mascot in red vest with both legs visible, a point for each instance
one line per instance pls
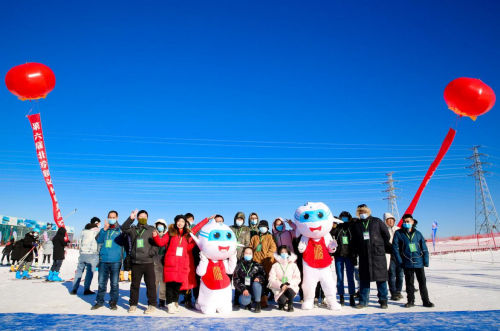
(314, 221)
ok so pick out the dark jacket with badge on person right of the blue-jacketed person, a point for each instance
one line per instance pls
(148, 252)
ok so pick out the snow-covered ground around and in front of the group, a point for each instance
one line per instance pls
(453, 287)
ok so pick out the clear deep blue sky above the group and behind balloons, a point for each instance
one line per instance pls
(224, 106)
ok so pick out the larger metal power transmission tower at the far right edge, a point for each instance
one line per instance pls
(486, 214)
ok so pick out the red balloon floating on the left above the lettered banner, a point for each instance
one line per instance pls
(30, 81)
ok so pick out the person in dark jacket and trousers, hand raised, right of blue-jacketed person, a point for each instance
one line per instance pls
(142, 255)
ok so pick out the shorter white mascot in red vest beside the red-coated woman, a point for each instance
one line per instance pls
(217, 244)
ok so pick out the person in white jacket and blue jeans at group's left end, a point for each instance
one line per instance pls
(88, 259)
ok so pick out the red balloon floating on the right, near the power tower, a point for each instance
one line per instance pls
(469, 97)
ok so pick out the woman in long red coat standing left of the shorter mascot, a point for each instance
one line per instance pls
(179, 270)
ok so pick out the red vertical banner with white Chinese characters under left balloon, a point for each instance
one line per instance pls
(36, 126)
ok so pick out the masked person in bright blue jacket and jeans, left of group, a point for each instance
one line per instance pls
(112, 241)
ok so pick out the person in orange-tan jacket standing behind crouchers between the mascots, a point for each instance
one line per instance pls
(264, 247)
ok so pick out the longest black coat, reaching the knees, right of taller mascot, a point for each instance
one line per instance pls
(371, 252)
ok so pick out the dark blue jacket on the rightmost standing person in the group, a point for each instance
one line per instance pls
(401, 249)
